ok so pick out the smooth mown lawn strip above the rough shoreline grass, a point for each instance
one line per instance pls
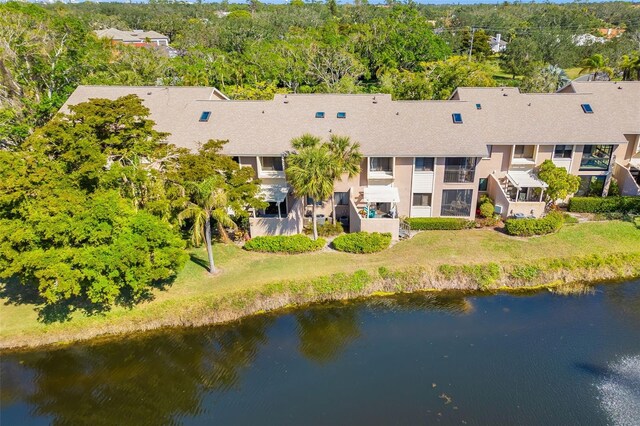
(246, 270)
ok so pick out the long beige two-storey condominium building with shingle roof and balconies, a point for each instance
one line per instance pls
(421, 158)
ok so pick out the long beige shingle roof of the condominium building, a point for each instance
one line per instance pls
(384, 127)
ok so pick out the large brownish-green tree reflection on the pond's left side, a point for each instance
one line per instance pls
(151, 380)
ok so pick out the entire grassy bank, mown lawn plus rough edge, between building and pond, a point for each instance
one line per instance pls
(434, 260)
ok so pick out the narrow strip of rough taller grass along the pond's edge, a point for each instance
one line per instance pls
(215, 309)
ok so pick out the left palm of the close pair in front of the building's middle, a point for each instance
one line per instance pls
(307, 172)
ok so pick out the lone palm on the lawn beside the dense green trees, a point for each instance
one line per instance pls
(207, 199)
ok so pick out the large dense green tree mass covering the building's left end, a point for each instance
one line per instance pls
(82, 206)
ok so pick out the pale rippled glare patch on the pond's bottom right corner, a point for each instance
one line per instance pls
(620, 391)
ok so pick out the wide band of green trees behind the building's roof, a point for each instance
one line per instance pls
(255, 50)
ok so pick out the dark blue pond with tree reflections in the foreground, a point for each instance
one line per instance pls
(533, 359)
